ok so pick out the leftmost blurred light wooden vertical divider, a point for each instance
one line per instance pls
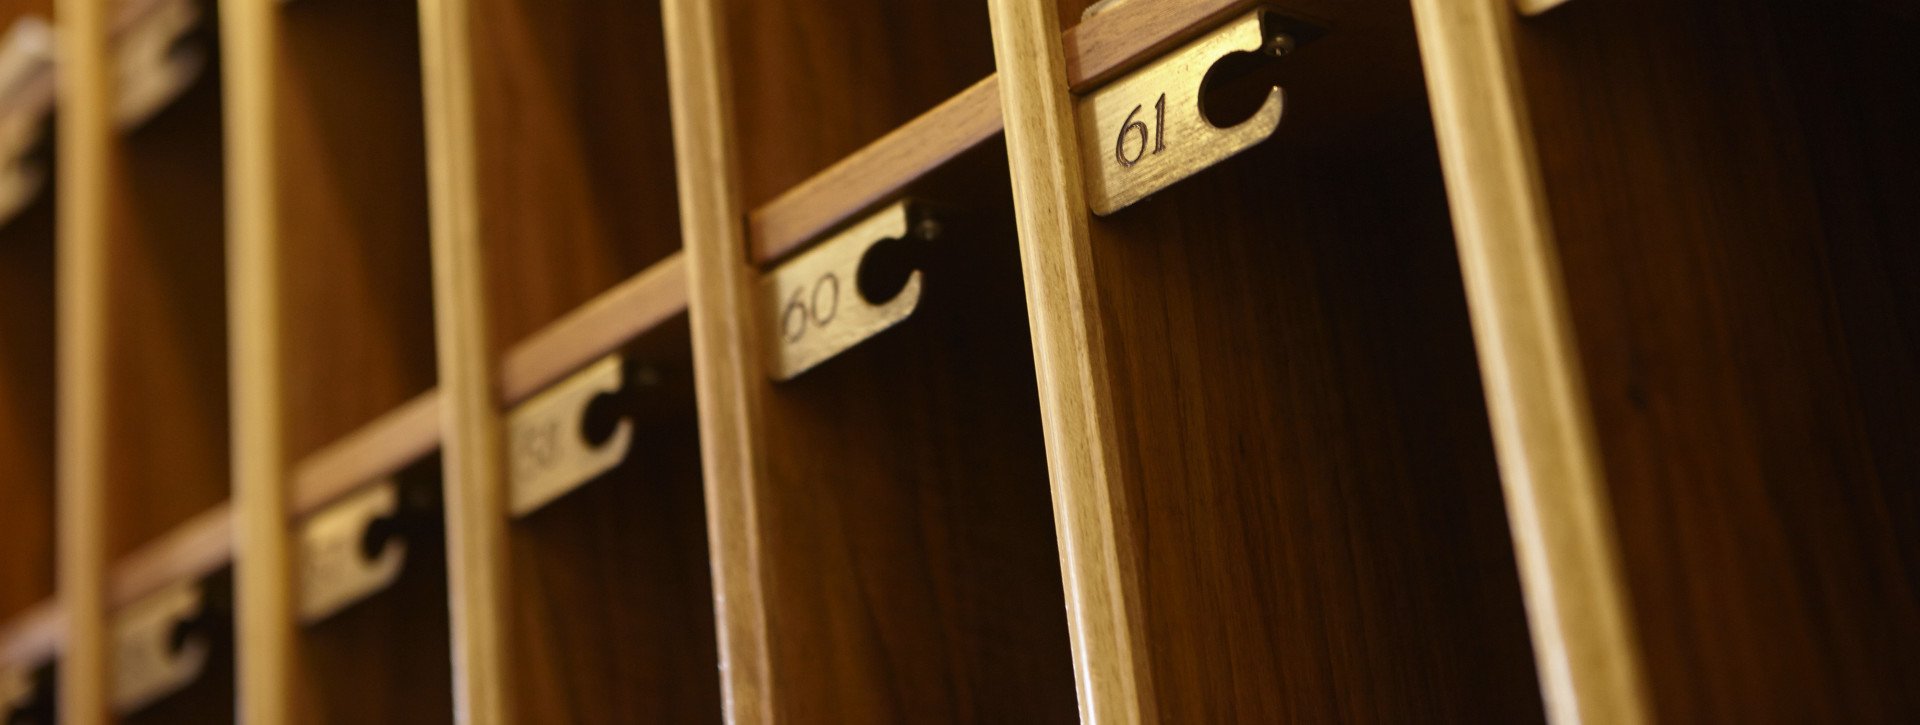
(85, 126)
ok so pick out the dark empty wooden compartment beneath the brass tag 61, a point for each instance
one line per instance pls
(1307, 467)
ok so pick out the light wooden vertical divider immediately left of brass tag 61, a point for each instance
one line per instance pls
(1076, 417)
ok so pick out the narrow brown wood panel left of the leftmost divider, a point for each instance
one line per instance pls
(28, 408)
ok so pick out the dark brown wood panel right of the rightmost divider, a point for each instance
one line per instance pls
(1731, 189)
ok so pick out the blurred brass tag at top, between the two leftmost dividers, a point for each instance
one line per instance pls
(153, 66)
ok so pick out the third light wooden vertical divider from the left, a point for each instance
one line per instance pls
(471, 448)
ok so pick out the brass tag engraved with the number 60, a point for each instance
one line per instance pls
(815, 308)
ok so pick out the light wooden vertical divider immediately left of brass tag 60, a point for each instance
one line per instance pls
(721, 287)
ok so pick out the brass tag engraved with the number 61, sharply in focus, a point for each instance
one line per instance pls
(1147, 129)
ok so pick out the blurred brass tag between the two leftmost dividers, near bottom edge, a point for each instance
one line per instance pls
(147, 665)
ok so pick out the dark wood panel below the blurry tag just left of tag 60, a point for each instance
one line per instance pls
(612, 603)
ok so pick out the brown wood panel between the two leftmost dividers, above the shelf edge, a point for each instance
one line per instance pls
(168, 317)
